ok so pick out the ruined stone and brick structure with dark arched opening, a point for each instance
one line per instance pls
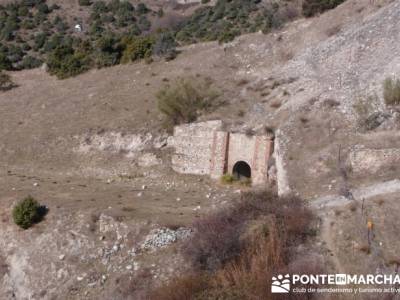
(207, 149)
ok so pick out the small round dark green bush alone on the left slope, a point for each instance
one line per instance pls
(28, 212)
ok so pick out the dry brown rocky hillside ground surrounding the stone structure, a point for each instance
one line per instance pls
(94, 151)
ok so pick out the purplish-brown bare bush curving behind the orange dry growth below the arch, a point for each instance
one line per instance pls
(216, 238)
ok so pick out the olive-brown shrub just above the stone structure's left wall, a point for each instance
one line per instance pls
(183, 101)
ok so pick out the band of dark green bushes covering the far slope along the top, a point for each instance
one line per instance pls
(33, 32)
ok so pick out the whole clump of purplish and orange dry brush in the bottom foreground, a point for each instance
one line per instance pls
(235, 252)
